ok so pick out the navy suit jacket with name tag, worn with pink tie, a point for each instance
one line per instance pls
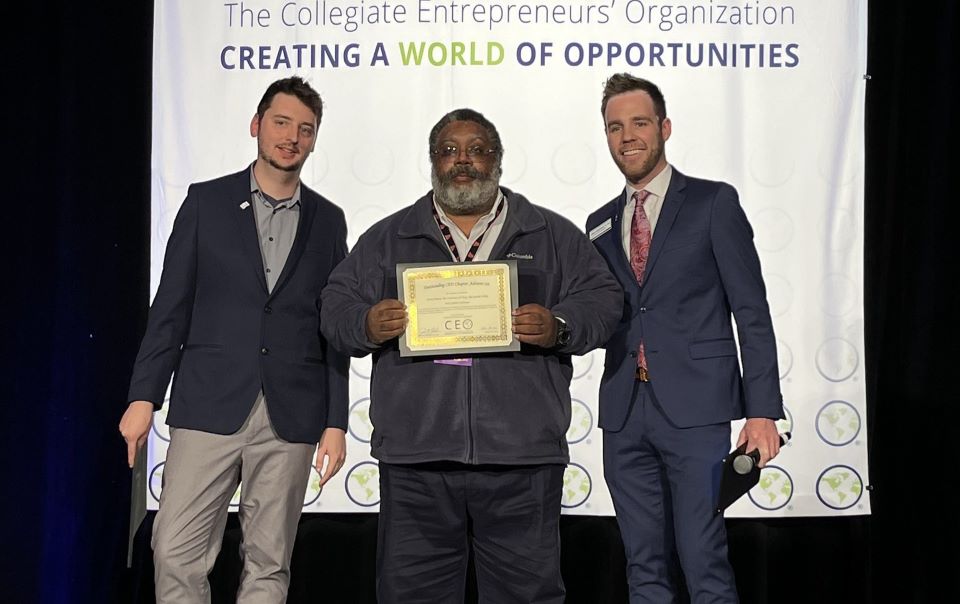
(702, 269)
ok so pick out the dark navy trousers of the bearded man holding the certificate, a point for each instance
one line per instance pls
(430, 515)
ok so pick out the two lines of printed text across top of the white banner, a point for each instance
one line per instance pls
(638, 34)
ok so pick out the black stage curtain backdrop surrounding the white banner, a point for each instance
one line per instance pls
(76, 220)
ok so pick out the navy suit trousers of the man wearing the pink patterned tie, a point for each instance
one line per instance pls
(664, 482)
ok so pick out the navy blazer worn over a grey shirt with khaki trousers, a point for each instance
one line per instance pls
(214, 326)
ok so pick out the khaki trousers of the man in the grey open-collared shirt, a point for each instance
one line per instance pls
(201, 474)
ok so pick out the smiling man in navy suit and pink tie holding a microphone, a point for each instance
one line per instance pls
(683, 251)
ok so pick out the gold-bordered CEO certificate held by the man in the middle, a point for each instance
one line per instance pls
(458, 308)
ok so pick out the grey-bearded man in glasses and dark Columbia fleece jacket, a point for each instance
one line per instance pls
(472, 450)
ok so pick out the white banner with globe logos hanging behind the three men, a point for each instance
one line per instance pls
(766, 95)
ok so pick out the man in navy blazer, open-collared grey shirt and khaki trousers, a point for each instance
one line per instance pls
(236, 321)
